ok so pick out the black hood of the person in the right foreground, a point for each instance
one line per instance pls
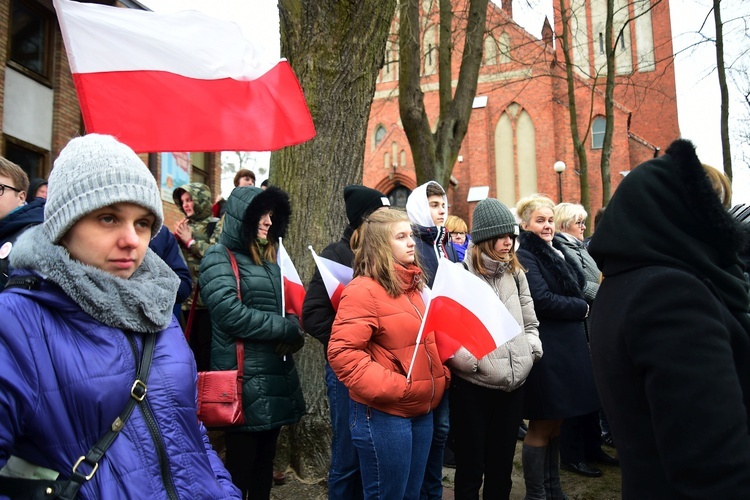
(665, 212)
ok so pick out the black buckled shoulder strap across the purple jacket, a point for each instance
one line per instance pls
(69, 489)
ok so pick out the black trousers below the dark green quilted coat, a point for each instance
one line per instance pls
(250, 461)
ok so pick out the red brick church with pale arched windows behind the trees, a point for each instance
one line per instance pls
(520, 123)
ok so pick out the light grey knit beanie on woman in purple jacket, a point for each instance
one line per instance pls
(92, 172)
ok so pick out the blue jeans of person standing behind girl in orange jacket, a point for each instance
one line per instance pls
(344, 479)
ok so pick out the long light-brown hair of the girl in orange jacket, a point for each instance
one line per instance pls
(373, 257)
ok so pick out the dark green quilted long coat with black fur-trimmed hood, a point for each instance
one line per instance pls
(271, 392)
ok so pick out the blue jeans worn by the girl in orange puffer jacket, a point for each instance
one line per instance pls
(392, 451)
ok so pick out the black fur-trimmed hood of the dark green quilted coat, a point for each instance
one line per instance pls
(245, 206)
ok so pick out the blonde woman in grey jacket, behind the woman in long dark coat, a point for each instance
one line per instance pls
(581, 436)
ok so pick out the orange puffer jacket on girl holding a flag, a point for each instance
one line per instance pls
(372, 344)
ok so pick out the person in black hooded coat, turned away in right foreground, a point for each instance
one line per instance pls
(670, 333)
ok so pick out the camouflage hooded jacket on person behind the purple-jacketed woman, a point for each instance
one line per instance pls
(199, 224)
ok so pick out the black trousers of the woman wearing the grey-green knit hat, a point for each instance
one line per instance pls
(484, 423)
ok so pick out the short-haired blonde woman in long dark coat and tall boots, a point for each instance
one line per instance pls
(561, 384)
